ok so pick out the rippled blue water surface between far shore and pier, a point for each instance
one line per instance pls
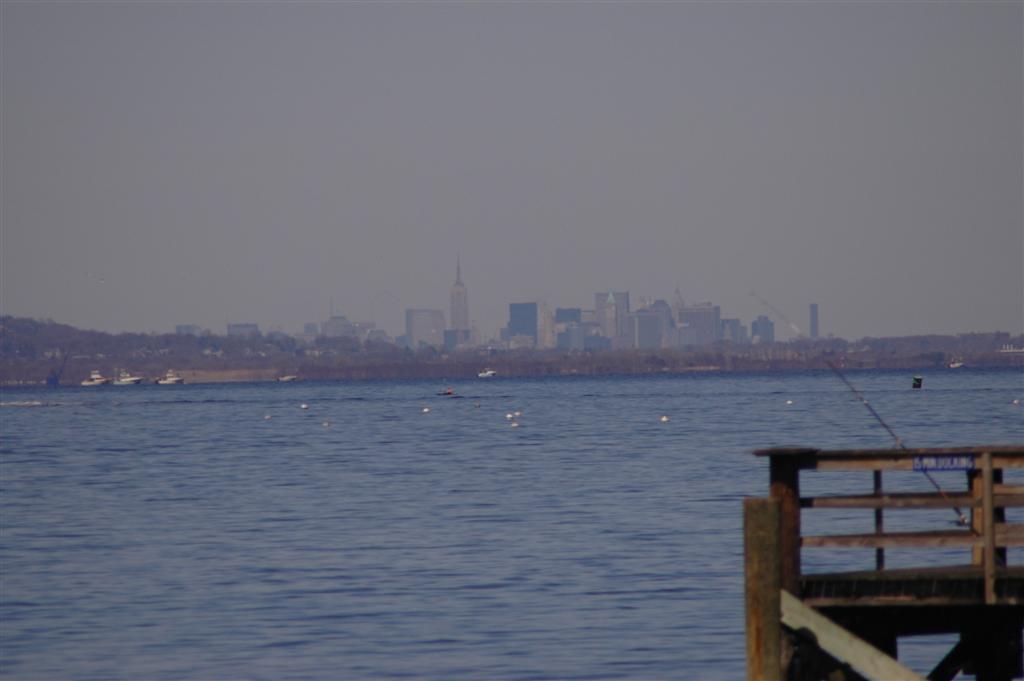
(224, 532)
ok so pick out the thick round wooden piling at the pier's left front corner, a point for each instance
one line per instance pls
(762, 588)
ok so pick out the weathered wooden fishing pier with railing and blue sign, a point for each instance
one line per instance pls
(846, 625)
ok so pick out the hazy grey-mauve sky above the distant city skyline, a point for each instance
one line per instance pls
(203, 162)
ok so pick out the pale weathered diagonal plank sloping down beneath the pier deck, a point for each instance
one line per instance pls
(866, 659)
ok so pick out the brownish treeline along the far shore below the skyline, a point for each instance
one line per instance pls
(34, 352)
